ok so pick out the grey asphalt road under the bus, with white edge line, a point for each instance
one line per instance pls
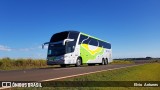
(48, 74)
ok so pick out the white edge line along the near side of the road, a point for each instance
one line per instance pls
(85, 73)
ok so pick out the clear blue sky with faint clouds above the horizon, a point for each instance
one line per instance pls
(131, 26)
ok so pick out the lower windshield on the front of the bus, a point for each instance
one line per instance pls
(56, 50)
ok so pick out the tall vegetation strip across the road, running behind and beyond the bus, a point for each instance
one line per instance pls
(20, 64)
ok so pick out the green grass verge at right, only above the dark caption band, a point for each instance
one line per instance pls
(146, 72)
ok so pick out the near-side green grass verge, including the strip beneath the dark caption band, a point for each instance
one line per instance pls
(145, 72)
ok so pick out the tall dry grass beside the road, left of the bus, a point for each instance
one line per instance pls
(17, 64)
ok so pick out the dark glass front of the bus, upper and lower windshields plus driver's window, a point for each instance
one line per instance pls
(57, 48)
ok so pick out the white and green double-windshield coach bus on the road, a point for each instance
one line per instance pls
(73, 47)
